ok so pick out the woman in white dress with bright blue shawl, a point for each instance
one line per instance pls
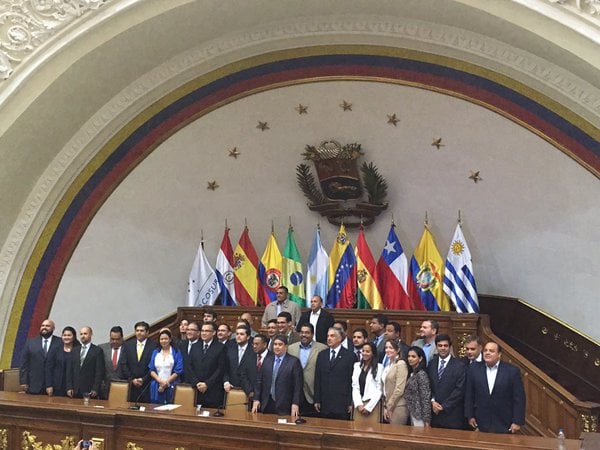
(166, 369)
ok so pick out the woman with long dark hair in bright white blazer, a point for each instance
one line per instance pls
(366, 381)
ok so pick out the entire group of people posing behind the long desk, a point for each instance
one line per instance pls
(305, 364)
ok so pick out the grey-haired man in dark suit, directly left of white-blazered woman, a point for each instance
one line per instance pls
(333, 378)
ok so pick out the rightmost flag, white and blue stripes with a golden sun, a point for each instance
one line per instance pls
(459, 282)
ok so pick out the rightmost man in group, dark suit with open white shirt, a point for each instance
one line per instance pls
(495, 398)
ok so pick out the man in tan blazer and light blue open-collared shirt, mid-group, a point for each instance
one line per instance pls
(306, 351)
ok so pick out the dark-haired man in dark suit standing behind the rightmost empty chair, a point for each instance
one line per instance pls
(241, 359)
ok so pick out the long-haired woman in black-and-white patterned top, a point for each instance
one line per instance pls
(418, 391)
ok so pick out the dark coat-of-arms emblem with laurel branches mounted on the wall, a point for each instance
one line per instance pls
(339, 190)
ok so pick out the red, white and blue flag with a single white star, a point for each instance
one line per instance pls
(392, 272)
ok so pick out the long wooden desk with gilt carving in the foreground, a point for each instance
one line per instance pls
(52, 419)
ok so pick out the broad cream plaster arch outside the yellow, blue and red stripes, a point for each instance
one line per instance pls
(62, 106)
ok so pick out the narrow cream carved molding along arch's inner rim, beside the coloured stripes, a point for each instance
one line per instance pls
(369, 30)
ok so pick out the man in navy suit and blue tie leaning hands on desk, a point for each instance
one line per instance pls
(279, 382)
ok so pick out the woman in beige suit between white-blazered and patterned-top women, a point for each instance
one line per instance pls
(394, 381)
